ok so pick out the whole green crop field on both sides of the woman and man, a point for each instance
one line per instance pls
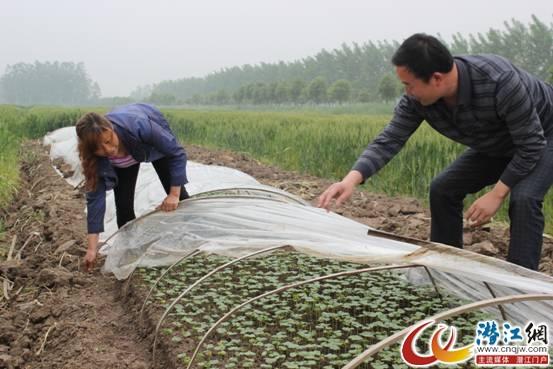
(320, 143)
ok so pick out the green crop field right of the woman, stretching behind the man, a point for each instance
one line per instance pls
(327, 145)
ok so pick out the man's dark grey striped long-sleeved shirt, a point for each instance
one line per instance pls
(501, 111)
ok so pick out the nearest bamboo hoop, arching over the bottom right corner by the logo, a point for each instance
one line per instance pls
(444, 315)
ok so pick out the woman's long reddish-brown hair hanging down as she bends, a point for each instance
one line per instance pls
(89, 128)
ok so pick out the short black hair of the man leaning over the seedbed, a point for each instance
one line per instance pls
(423, 55)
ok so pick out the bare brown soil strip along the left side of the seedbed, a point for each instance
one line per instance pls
(57, 315)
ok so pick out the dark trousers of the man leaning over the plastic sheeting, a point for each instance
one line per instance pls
(471, 172)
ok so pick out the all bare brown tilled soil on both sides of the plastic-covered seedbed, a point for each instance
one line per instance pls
(59, 317)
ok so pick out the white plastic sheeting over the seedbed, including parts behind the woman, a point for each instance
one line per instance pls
(243, 216)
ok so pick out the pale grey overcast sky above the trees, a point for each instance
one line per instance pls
(126, 43)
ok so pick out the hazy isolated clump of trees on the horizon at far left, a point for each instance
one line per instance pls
(57, 83)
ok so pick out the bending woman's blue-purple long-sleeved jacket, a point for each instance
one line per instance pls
(146, 135)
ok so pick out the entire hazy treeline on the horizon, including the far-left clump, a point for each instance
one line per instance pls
(351, 73)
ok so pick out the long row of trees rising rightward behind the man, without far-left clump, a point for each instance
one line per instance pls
(364, 67)
